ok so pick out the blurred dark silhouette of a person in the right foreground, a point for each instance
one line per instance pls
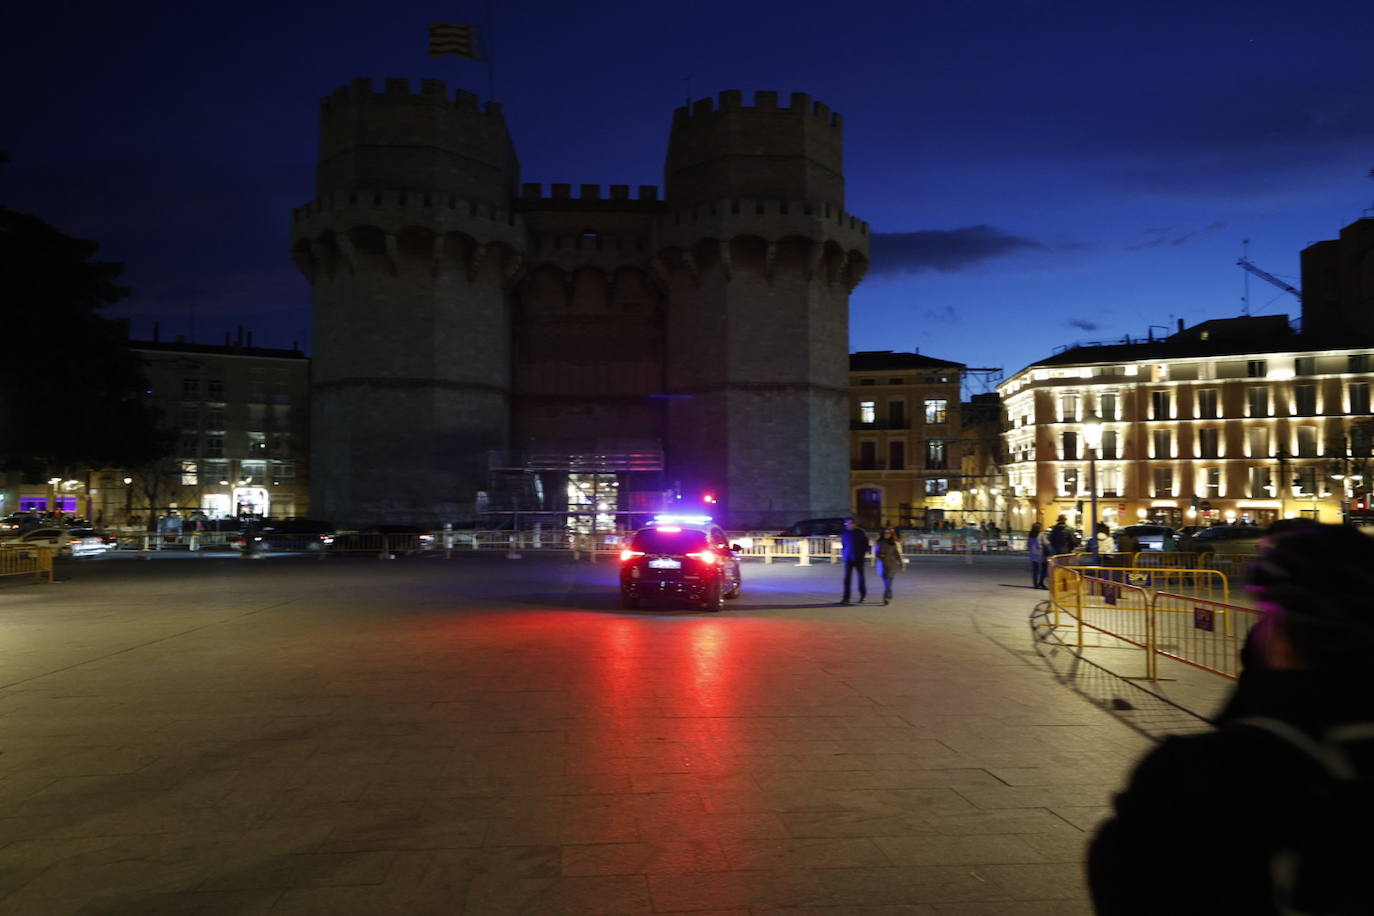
(1222, 812)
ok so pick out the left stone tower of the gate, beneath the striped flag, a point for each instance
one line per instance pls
(410, 247)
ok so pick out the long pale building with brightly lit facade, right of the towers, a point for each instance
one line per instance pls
(1233, 420)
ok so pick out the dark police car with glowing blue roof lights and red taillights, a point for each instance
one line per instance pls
(679, 557)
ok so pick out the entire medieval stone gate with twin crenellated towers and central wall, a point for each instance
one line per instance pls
(457, 319)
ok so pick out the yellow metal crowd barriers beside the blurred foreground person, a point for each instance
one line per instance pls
(1180, 615)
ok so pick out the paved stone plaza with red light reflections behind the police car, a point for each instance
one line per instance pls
(490, 735)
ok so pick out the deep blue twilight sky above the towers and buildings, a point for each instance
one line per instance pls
(1034, 172)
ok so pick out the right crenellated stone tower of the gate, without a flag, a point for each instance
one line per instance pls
(759, 259)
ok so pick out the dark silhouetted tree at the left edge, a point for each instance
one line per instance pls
(72, 395)
